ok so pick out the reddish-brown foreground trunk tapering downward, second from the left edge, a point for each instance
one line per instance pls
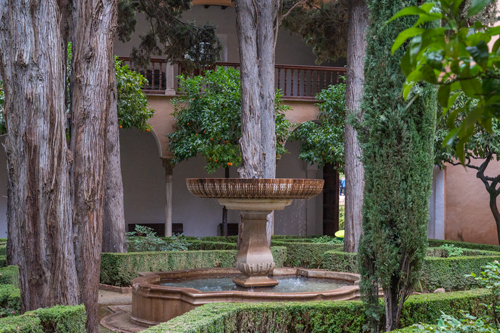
(94, 22)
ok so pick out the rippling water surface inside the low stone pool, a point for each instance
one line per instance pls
(287, 284)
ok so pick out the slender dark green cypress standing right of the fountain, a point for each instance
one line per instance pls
(397, 142)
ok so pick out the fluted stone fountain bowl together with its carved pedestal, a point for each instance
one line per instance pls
(255, 199)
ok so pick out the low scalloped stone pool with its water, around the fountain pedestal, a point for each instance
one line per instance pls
(161, 296)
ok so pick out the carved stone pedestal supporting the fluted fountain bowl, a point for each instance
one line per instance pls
(255, 260)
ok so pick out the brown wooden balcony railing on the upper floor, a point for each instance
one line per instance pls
(295, 82)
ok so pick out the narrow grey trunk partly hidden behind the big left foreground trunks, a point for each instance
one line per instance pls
(113, 223)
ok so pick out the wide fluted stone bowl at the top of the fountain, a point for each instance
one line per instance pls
(259, 188)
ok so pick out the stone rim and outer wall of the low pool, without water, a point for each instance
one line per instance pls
(153, 303)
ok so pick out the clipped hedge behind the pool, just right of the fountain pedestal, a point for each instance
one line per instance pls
(306, 255)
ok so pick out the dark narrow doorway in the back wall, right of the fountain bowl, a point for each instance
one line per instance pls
(330, 200)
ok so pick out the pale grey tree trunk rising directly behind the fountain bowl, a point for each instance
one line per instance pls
(256, 23)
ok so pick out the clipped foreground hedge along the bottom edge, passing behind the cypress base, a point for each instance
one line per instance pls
(325, 316)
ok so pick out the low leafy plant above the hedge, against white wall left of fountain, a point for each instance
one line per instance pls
(145, 239)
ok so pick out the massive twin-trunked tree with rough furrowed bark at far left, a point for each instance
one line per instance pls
(56, 192)
